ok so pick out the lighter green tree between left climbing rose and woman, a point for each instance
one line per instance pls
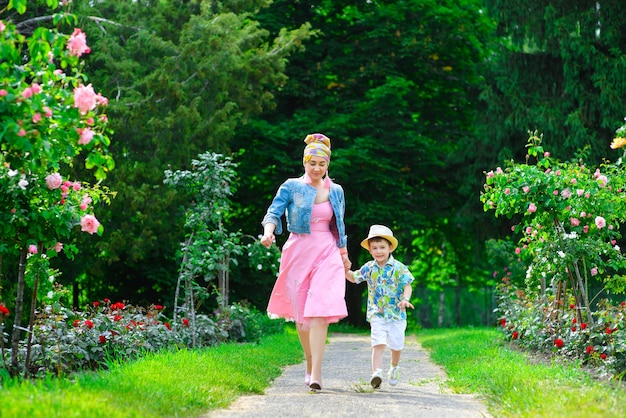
(183, 75)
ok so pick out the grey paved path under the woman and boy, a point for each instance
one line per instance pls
(347, 393)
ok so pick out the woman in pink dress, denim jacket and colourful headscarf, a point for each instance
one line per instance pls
(310, 288)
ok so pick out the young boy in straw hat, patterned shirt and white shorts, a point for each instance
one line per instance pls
(389, 291)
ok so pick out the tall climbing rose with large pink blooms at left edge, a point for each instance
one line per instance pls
(51, 119)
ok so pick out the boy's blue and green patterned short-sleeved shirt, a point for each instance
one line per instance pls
(385, 286)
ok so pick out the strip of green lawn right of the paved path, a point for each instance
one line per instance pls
(478, 361)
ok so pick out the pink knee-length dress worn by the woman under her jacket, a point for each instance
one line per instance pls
(311, 282)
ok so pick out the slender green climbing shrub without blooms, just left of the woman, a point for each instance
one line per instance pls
(209, 247)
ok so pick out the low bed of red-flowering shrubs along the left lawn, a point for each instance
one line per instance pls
(66, 341)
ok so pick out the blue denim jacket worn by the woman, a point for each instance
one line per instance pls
(295, 198)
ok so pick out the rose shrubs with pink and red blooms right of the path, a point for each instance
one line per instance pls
(568, 216)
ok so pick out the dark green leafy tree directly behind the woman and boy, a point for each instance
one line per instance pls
(396, 99)
